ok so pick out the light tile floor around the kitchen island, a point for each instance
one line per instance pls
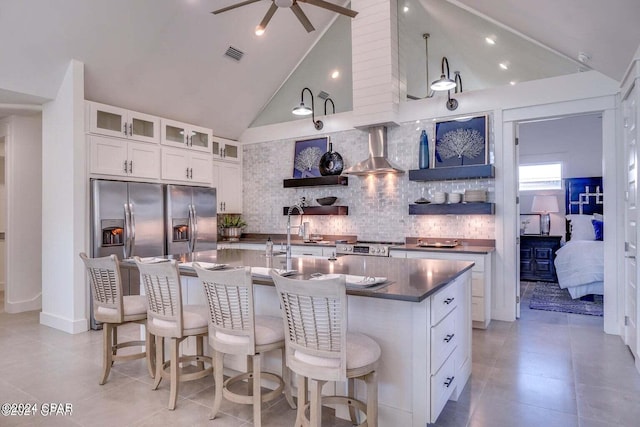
(546, 369)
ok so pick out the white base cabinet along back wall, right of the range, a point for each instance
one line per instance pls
(481, 279)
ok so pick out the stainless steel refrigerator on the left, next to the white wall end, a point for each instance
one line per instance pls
(127, 219)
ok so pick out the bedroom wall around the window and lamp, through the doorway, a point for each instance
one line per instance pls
(575, 141)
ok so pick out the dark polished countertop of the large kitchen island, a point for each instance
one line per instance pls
(408, 279)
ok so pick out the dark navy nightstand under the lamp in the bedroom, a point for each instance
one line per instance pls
(537, 254)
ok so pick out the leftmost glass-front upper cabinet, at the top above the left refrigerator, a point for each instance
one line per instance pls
(122, 123)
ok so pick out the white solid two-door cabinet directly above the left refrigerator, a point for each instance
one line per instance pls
(123, 158)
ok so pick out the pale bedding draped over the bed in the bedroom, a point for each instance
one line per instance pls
(580, 267)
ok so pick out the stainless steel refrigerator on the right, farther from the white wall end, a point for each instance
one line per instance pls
(191, 223)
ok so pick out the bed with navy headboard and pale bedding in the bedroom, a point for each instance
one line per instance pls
(580, 261)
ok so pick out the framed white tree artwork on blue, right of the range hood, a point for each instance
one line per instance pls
(462, 142)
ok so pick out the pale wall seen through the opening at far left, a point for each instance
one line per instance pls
(23, 192)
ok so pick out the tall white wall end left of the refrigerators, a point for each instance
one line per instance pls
(65, 206)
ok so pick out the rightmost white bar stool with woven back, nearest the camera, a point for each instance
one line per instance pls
(319, 348)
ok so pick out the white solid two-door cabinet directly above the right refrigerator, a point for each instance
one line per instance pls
(186, 166)
